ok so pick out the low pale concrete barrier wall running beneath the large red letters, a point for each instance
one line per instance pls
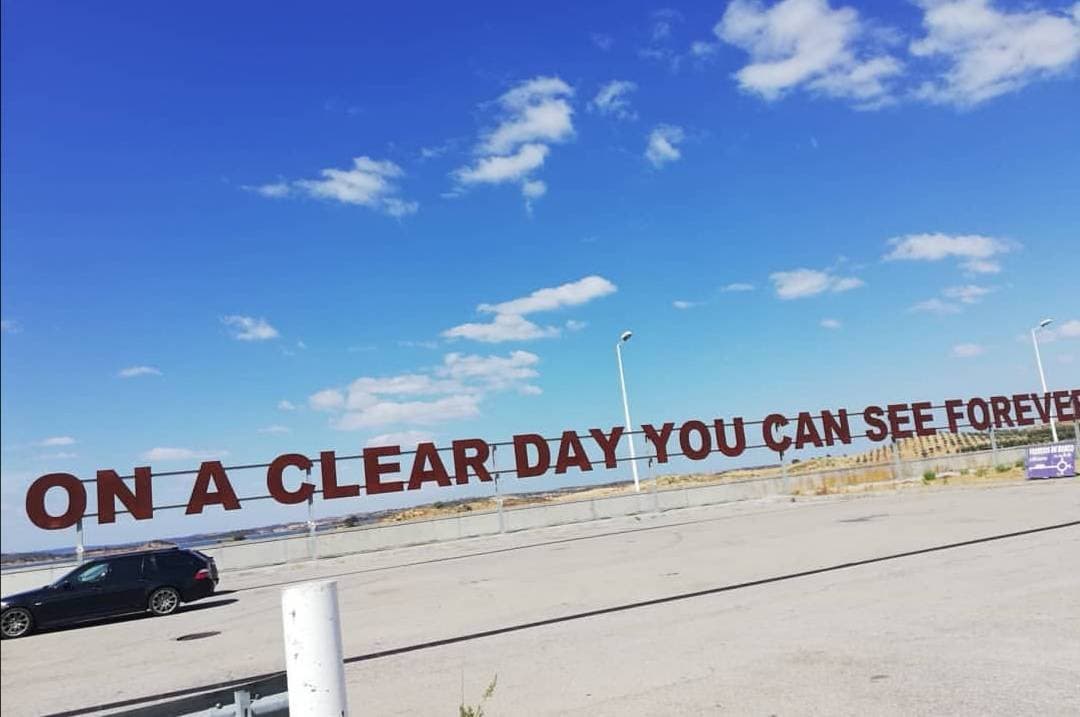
(277, 551)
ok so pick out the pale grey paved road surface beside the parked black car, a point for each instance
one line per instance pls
(852, 605)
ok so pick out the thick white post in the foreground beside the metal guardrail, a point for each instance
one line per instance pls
(314, 651)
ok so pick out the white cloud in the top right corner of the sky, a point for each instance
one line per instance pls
(990, 52)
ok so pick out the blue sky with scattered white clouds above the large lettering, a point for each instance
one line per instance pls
(219, 219)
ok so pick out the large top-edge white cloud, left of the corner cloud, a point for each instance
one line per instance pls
(808, 44)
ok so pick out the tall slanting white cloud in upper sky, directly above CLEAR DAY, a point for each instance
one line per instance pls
(535, 115)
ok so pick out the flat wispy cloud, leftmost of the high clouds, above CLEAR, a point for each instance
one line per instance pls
(368, 183)
